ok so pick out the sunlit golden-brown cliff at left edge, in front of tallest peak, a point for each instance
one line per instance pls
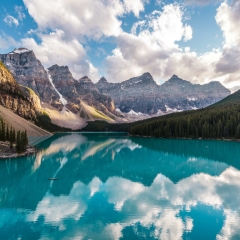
(12, 96)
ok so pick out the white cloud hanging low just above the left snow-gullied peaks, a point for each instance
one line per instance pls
(55, 49)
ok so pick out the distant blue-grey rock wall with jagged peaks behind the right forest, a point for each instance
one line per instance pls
(142, 94)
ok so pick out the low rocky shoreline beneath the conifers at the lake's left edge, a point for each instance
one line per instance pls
(7, 152)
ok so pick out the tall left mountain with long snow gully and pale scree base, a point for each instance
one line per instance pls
(68, 102)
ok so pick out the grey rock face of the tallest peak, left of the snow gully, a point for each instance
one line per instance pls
(29, 72)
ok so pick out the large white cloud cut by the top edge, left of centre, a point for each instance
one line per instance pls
(87, 18)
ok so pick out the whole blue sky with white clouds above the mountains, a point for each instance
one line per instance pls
(191, 38)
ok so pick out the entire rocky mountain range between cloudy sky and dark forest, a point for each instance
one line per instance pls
(54, 93)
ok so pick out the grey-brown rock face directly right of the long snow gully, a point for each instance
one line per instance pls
(76, 91)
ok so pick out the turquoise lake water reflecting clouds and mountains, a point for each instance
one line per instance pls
(111, 186)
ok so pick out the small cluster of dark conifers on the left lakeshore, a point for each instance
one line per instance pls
(17, 139)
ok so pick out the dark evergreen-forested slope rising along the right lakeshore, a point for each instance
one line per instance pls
(220, 120)
